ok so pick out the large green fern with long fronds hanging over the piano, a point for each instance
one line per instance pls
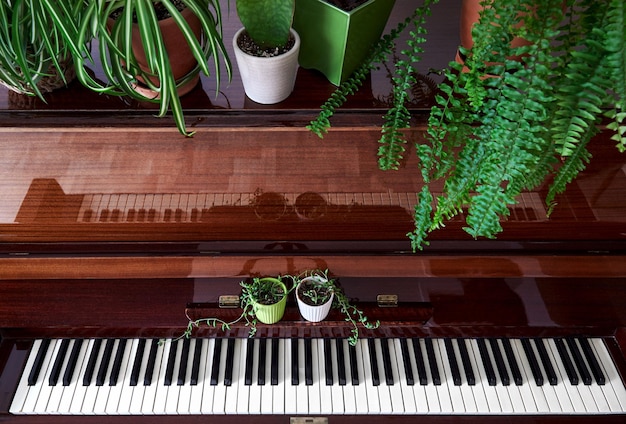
(517, 118)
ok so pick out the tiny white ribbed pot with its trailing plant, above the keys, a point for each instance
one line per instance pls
(316, 293)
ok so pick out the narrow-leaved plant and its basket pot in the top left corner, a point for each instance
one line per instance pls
(35, 57)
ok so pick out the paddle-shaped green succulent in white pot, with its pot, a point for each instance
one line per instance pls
(266, 49)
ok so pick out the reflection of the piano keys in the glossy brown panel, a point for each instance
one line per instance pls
(193, 207)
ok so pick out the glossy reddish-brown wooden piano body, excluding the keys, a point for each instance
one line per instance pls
(76, 262)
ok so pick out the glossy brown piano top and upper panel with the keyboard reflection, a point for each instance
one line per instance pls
(78, 146)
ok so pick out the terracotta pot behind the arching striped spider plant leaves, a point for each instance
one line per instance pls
(181, 58)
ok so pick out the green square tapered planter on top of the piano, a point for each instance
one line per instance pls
(336, 42)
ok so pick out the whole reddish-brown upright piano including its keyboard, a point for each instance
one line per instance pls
(114, 229)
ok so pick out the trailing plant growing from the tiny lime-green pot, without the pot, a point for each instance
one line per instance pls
(264, 291)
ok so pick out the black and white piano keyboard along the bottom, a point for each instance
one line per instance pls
(319, 376)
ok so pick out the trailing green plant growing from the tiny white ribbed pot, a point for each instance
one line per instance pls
(324, 288)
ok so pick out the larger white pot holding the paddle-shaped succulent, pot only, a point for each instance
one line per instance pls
(268, 80)
